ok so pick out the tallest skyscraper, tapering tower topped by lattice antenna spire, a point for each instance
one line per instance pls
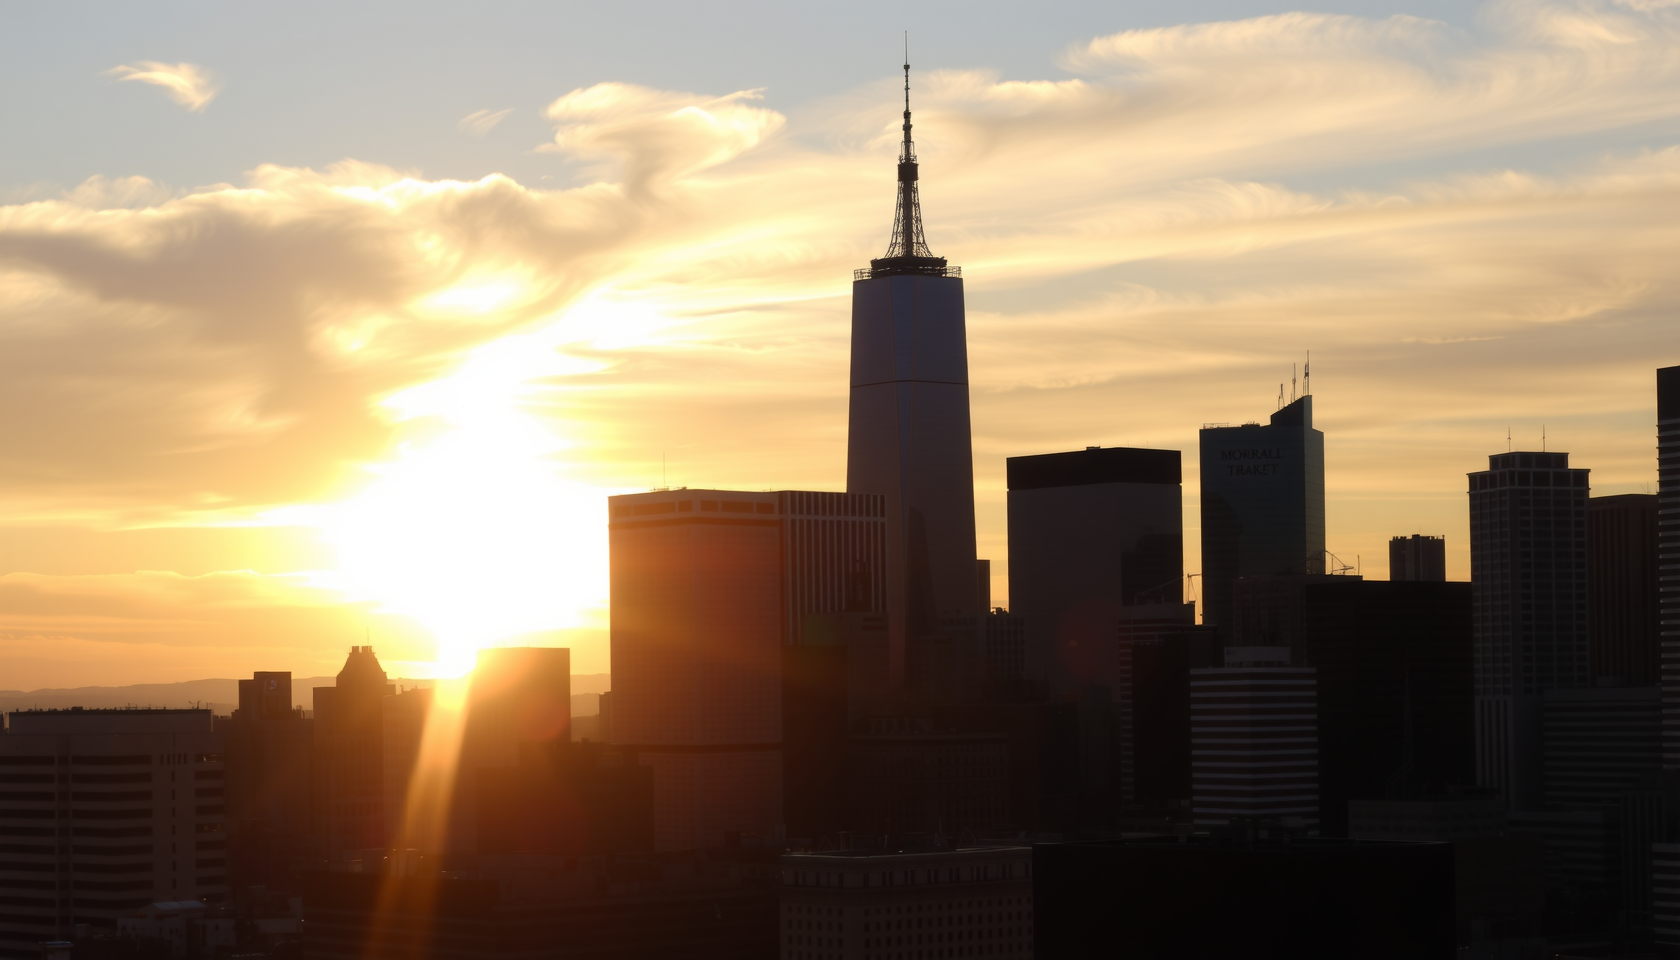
(910, 441)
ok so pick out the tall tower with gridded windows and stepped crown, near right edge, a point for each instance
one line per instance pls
(1528, 574)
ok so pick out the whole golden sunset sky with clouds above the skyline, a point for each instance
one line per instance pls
(340, 322)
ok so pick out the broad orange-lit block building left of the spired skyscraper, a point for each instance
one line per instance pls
(708, 591)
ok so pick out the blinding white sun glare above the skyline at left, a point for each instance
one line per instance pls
(473, 530)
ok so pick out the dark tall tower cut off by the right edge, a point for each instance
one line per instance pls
(1669, 552)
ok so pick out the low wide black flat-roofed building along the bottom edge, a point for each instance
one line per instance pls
(1204, 899)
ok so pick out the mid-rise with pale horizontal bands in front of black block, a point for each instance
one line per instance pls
(1254, 741)
